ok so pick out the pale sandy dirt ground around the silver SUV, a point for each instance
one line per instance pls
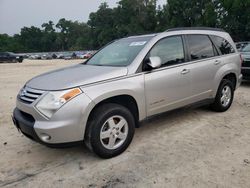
(183, 148)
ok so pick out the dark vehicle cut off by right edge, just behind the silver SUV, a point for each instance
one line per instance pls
(245, 69)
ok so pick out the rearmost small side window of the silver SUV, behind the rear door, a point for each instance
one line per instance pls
(222, 44)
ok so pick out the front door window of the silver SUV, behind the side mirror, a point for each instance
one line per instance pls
(170, 50)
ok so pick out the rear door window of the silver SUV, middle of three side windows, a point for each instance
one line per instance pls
(200, 47)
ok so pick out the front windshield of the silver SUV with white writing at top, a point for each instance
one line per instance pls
(119, 53)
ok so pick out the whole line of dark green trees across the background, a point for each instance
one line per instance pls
(131, 17)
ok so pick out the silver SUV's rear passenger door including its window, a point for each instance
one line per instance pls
(205, 62)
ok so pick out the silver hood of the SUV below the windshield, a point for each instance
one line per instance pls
(74, 76)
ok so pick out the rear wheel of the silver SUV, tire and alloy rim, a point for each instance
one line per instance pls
(225, 90)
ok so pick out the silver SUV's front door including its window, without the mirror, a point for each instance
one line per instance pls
(168, 87)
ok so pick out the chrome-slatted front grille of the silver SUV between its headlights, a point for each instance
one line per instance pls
(29, 95)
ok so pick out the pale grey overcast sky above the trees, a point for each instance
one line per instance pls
(15, 14)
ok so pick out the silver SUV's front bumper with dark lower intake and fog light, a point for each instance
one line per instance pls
(66, 127)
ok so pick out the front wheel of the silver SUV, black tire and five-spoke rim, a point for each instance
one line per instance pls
(110, 130)
